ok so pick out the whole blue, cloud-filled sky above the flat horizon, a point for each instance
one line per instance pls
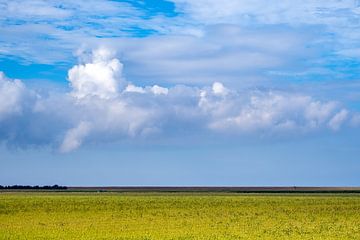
(180, 93)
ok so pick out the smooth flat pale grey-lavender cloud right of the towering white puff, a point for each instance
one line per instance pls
(222, 53)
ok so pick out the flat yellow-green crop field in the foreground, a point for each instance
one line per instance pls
(178, 216)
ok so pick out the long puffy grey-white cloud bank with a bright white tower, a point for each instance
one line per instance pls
(102, 106)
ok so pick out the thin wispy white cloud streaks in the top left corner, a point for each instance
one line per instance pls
(64, 12)
